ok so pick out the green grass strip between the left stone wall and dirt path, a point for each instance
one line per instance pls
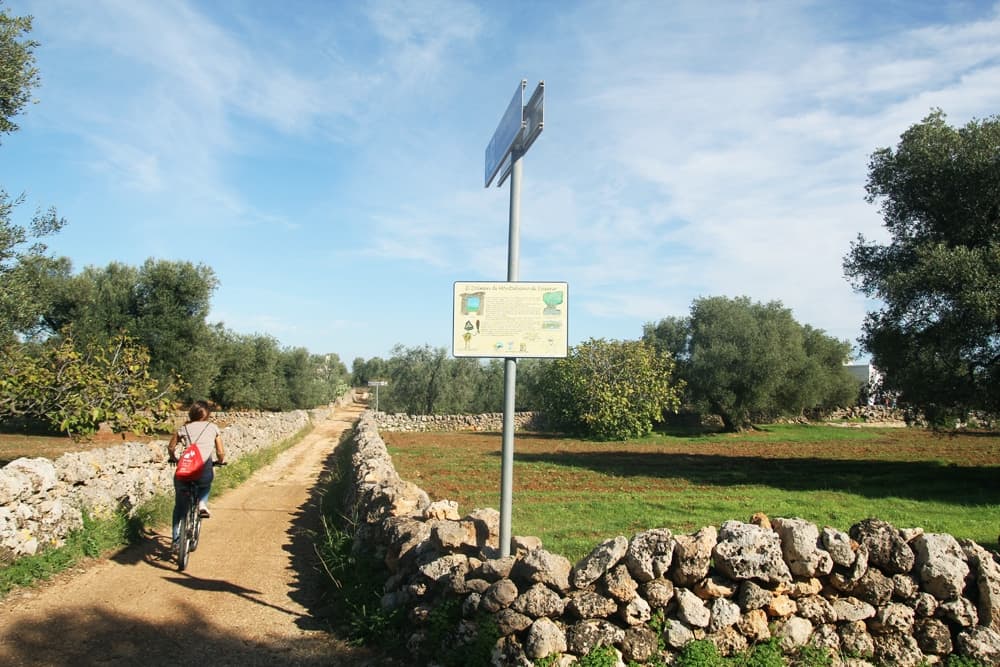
(100, 537)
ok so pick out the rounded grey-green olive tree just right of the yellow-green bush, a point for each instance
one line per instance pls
(743, 360)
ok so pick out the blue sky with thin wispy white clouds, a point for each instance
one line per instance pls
(326, 158)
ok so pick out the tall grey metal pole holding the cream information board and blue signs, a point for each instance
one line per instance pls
(510, 364)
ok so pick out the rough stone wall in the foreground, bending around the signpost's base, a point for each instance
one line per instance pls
(875, 593)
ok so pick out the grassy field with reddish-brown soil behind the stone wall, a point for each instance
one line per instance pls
(575, 493)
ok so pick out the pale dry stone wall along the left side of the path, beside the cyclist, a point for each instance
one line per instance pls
(42, 501)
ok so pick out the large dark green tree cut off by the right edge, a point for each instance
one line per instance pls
(936, 336)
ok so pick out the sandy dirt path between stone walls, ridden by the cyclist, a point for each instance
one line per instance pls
(243, 600)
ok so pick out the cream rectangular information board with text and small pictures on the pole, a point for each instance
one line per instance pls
(510, 319)
